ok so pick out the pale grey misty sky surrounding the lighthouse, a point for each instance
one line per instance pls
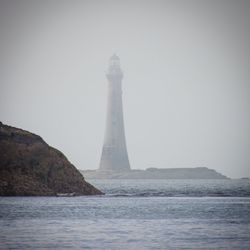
(186, 86)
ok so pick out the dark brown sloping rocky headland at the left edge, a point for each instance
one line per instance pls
(29, 166)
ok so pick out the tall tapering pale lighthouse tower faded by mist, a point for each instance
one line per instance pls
(114, 152)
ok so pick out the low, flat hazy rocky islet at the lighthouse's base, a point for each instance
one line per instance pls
(156, 173)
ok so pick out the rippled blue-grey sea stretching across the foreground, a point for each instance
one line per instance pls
(133, 214)
